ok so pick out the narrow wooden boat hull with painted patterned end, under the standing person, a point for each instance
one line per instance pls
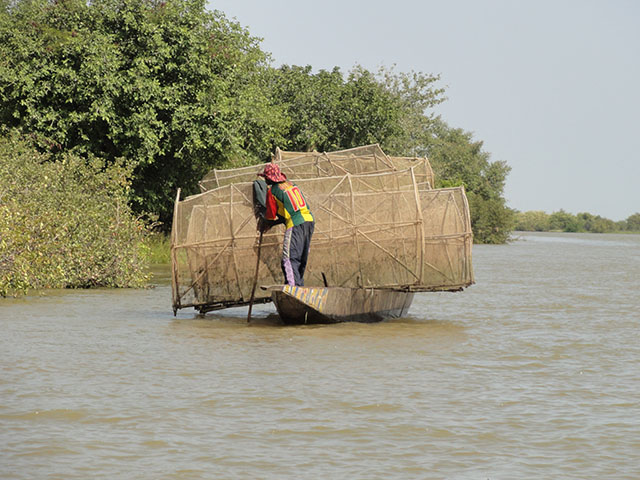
(308, 305)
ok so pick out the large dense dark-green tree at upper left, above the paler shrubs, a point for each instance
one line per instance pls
(169, 85)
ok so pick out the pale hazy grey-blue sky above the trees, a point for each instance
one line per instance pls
(551, 87)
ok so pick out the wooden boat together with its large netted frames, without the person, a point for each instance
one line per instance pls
(380, 236)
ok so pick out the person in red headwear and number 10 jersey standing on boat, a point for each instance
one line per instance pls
(286, 201)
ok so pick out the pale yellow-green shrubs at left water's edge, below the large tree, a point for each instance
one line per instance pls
(65, 224)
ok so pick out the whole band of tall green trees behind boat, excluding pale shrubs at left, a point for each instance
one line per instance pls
(171, 90)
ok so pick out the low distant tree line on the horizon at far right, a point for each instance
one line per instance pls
(538, 221)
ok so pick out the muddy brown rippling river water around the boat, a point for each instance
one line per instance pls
(534, 372)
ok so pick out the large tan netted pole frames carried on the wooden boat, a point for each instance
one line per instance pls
(378, 230)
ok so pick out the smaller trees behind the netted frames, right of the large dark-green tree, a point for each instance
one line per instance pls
(327, 111)
